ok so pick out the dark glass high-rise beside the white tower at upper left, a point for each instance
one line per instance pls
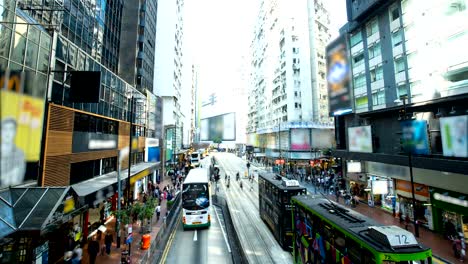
(136, 65)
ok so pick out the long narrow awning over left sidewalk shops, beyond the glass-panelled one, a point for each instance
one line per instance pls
(96, 190)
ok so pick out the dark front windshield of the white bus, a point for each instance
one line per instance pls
(195, 196)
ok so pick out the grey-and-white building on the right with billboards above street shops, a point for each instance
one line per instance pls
(407, 134)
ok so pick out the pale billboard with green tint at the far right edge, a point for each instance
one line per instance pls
(454, 136)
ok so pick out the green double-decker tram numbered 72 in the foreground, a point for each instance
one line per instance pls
(326, 232)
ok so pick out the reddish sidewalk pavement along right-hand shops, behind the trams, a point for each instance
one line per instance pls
(441, 247)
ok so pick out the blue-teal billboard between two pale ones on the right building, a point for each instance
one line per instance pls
(414, 137)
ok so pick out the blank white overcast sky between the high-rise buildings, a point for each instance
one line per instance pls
(219, 33)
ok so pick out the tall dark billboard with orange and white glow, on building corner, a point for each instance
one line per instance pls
(338, 77)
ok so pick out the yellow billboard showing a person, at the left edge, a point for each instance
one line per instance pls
(21, 118)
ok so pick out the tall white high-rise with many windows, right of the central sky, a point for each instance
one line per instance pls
(287, 97)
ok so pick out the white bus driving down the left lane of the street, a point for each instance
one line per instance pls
(196, 199)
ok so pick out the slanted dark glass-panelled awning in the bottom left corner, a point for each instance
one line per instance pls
(30, 208)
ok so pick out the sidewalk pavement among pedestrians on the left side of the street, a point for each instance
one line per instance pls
(136, 252)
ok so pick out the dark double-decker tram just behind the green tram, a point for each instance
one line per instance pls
(274, 193)
